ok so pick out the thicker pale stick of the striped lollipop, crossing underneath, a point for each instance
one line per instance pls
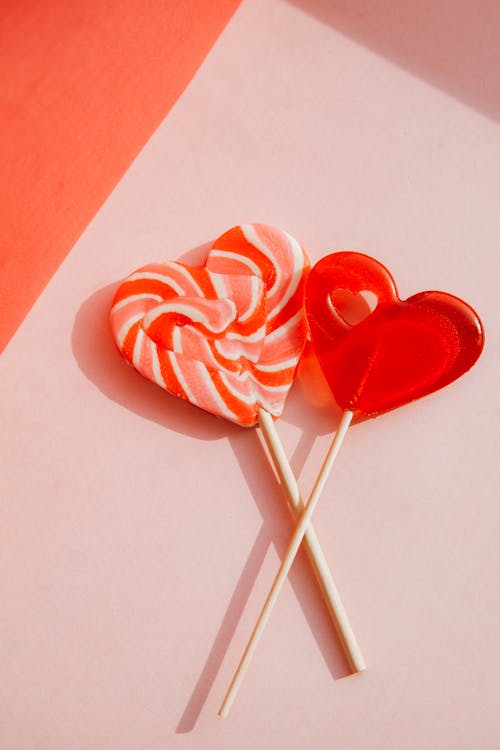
(312, 545)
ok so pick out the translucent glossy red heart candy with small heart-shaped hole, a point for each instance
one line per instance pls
(401, 350)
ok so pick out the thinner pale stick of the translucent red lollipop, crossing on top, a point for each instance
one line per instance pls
(285, 566)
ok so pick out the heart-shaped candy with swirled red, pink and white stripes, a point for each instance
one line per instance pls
(226, 337)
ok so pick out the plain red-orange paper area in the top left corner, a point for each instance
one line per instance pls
(83, 86)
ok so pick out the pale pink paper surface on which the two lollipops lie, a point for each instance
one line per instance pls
(139, 535)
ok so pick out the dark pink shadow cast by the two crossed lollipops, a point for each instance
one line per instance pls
(100, 362)
